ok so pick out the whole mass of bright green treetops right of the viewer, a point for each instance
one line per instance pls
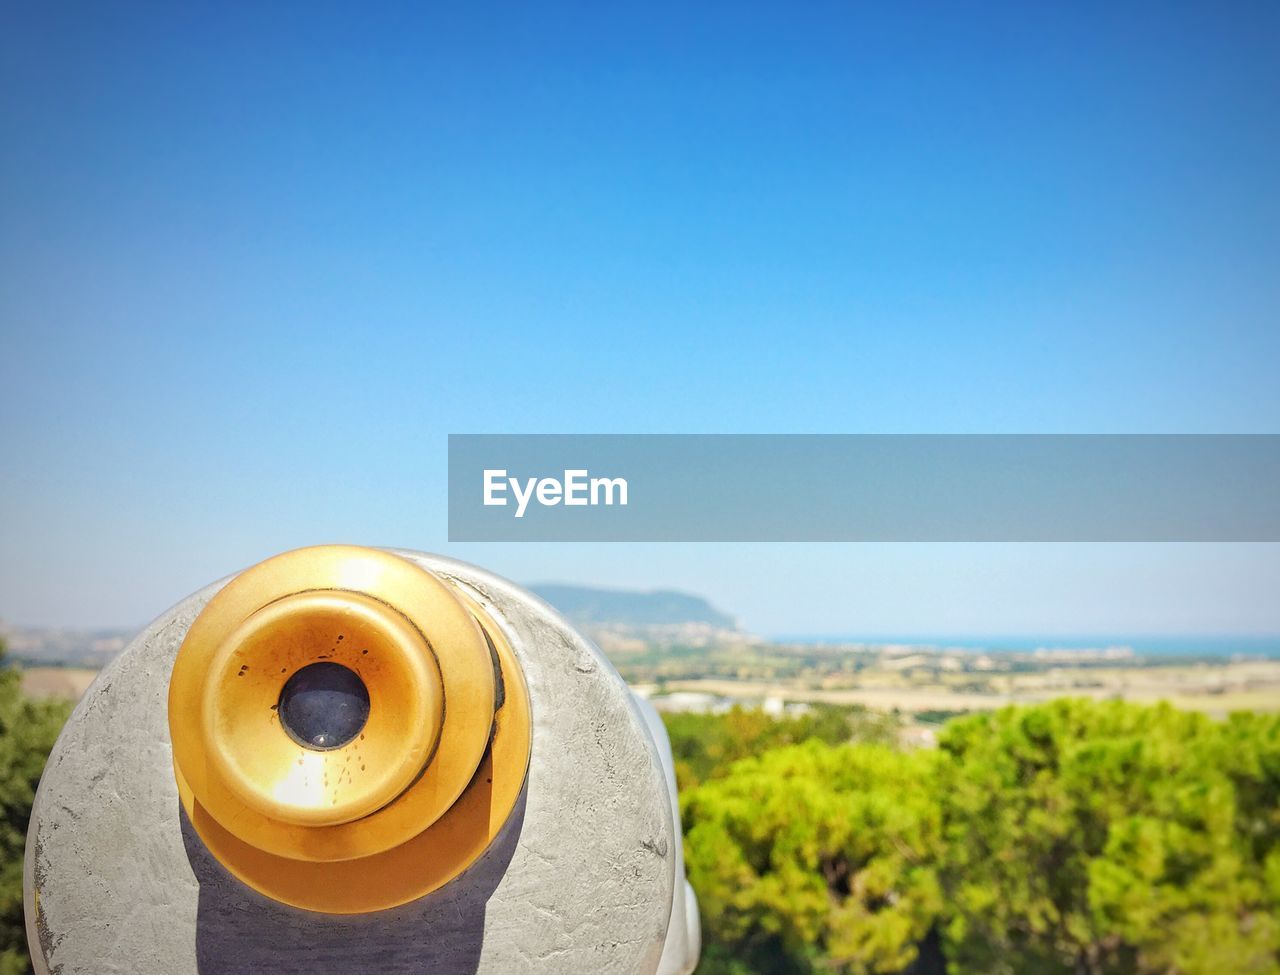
(1068, 839)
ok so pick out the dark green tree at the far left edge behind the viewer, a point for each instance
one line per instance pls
(28, 731)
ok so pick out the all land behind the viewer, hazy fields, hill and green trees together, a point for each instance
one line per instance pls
(872, 807)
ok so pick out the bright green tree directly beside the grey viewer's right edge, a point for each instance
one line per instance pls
(816, 858)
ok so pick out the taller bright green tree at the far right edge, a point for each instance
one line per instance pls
(1109, 839)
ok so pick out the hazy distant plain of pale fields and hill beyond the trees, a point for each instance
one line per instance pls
(687, 654)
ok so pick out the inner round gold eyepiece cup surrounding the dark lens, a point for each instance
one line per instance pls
(308, 782)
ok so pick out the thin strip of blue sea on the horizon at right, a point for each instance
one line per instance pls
(1224, 647)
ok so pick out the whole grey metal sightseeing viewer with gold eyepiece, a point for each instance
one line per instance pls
(354, 761)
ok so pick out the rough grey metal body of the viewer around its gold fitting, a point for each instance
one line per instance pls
(587, 877)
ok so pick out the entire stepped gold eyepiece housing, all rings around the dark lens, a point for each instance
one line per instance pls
(410, 800)
